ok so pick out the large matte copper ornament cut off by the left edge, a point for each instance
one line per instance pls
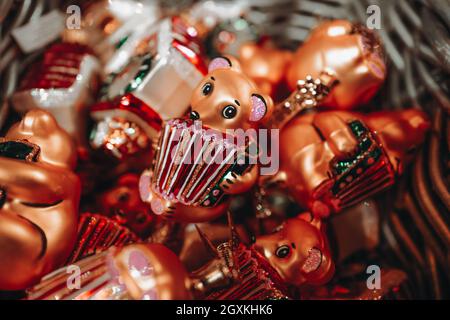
(39, 197)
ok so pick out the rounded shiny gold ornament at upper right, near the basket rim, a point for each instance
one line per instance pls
(351, 53)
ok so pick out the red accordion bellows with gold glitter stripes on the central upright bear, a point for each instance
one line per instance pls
(191, 163)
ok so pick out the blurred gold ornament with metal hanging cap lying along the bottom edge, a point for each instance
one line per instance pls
(137, 271)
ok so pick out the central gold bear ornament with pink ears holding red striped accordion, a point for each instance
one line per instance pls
(226, 103)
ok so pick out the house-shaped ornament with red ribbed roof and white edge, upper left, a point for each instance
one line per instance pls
(63, 82)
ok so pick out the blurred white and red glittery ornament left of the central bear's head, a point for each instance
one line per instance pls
(152, 87)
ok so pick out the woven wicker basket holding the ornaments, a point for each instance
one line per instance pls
(416, 231)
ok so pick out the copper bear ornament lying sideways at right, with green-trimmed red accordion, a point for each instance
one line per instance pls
(343, 157)
